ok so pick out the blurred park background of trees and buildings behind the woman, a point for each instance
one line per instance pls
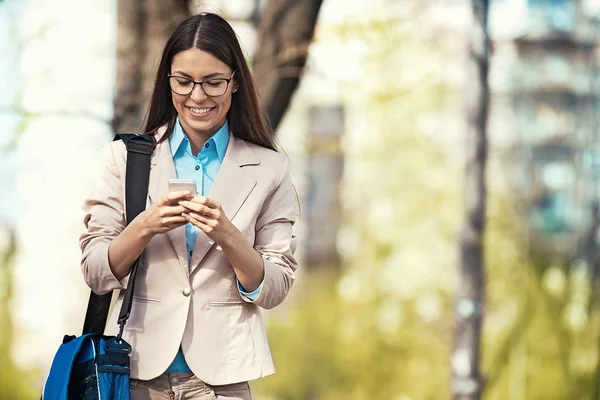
(450, 211)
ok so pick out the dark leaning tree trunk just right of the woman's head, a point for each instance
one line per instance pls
(285, 31)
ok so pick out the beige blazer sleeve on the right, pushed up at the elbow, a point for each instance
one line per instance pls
(276, 243)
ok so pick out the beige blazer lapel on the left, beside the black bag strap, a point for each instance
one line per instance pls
(162, 169)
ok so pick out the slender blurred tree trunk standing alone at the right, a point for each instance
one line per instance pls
(467, 381)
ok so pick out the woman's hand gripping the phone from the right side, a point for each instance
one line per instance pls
(207, 214)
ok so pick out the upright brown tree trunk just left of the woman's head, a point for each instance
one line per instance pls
(143, 29)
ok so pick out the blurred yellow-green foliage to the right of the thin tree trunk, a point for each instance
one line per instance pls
(542, 324)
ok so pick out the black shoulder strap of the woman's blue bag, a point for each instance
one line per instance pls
(137, 177)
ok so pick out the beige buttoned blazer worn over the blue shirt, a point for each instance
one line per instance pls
(220, 331)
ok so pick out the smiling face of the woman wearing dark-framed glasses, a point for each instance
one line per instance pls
(201, 115)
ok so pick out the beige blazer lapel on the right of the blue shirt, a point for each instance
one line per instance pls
(231, 188)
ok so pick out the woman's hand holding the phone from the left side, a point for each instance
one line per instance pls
(165, 215)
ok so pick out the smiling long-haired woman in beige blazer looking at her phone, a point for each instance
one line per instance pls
(210, 260)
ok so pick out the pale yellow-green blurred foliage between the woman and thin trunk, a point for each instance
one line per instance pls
(383, 329)
